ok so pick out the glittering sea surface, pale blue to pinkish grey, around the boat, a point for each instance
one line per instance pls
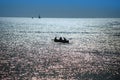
(28, 50)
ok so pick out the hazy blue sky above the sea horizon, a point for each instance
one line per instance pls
(60, 8)
